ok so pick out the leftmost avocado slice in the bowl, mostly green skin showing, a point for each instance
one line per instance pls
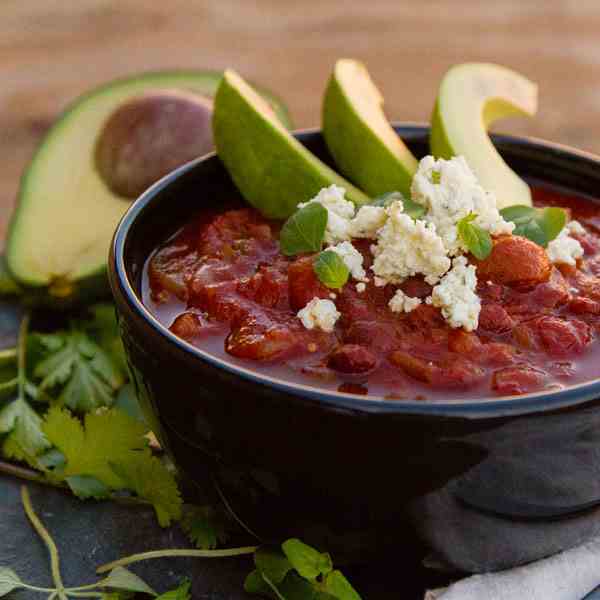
(272, 169)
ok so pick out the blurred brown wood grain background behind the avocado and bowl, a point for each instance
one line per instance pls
(52, 50)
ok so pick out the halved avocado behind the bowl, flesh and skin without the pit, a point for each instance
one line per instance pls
(60, 232)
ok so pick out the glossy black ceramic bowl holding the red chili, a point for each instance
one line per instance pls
(485, 484)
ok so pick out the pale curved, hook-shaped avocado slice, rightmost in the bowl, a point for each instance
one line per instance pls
(471, 97)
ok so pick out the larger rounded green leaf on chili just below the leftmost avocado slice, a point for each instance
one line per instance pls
(304, 230)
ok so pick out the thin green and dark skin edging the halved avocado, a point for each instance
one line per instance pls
(94, 285)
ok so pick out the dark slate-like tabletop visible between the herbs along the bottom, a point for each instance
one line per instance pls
(89, 534)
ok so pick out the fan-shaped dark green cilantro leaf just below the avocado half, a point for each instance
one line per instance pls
(79, 369)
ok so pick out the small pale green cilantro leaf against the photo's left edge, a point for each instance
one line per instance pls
(25, 439)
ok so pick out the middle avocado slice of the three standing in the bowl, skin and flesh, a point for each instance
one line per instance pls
(360, 138)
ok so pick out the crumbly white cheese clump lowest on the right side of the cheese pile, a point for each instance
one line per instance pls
(455, 296)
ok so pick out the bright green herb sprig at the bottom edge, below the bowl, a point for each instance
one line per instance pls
(297, 571)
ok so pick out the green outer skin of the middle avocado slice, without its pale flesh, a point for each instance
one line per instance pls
(357, 162)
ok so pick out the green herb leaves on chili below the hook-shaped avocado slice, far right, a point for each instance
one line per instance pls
(539, 225)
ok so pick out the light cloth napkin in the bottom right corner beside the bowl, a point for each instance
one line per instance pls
(570, 575)
